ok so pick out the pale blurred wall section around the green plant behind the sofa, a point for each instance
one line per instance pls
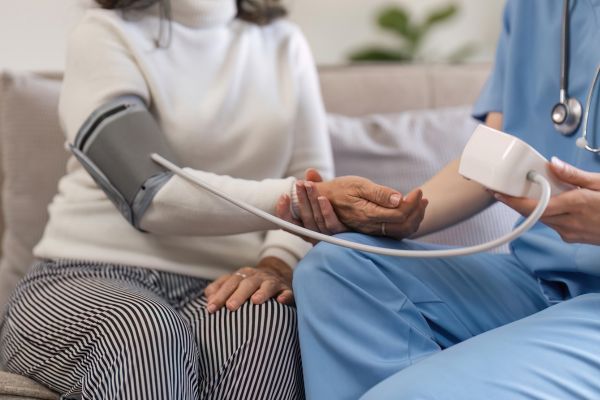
(336, 27)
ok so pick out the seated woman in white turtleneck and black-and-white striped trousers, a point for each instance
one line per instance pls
(115, 311)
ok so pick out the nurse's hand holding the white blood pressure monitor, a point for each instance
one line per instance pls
(575, 214)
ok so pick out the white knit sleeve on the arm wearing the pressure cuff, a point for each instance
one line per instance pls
(99, 68)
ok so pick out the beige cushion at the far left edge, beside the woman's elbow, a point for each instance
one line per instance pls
(33, 159)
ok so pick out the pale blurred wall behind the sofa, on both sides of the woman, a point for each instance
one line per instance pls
(32, 32)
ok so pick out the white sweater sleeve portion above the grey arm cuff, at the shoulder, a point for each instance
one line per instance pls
(99, 68)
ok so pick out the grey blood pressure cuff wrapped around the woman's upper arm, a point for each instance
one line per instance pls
(114, 145)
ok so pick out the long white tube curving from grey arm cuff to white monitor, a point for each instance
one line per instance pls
(524, 227)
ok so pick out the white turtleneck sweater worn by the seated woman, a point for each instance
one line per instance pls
(239, 104)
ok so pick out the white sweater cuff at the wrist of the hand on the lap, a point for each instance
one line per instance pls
(285, 246)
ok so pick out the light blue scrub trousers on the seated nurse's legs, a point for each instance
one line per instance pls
(476, 327)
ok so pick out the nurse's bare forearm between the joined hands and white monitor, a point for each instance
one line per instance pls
(452, 198)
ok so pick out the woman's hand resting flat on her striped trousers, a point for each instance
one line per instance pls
(272, 278)
